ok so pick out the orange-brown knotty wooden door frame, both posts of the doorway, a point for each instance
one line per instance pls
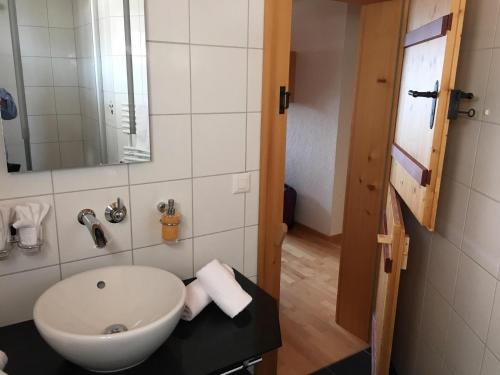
(380, 84)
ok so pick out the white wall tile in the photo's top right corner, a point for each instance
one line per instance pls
(480, 24)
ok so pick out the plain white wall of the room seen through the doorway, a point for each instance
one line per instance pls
(314, 125)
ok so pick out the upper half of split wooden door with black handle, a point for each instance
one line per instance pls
(432, 45)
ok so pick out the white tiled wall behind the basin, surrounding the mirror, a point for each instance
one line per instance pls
(205, 124)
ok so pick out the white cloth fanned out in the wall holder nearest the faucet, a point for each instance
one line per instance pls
(29, 222)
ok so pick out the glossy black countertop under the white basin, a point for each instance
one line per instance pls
(211, 344)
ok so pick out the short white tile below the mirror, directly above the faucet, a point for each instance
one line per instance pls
(90, 178)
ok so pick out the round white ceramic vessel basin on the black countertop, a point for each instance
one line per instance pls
(76, 315)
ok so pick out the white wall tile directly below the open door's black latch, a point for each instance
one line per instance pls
(463, 135)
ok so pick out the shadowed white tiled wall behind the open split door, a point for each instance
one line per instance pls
(448, 318)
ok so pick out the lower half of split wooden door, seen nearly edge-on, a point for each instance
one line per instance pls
(393, 258)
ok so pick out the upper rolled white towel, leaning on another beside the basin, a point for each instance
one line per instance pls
(223, 289)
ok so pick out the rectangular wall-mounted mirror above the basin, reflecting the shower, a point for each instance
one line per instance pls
(77, 72)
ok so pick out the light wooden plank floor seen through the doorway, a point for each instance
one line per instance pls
(311, 338)
